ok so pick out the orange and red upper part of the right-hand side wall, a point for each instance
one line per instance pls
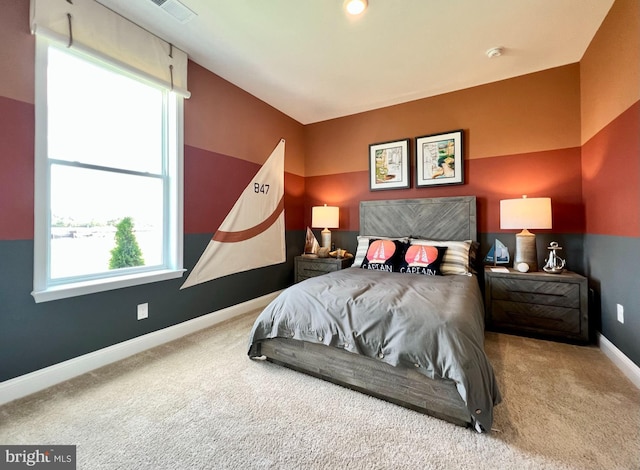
(610, 71)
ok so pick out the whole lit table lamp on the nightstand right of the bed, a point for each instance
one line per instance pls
(526, 213)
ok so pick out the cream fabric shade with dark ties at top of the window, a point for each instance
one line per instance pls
(91, 27)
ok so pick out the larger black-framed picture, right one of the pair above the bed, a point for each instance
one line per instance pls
(439, 159)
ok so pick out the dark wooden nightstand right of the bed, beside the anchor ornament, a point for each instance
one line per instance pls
(537, 303)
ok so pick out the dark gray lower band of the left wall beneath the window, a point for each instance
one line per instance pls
(34, 336)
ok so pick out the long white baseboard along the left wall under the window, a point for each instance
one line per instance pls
(39, 380)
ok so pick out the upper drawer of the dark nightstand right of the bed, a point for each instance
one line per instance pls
(536, 292)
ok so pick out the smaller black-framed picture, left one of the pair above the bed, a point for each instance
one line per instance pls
(389, 165)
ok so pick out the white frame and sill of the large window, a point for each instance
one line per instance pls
(43, 289)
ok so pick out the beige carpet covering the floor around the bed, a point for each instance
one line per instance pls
(200, 403)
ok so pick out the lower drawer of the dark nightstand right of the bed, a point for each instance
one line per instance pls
(535, 317)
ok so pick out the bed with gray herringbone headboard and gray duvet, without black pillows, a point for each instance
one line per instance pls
(413, 340)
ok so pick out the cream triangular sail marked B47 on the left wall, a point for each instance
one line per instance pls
(252, 234)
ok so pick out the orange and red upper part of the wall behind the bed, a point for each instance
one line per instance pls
(521, 136)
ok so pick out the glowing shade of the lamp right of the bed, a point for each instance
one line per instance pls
(525, 213)
